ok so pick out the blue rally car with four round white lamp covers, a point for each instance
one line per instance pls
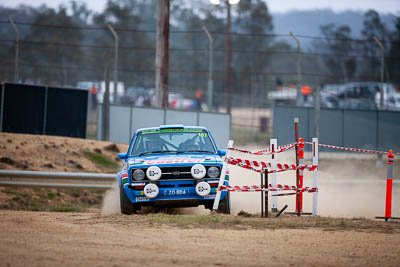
(171, 166)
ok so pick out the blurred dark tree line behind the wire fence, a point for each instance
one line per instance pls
(71, 43)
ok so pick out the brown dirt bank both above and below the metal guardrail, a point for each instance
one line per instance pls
(54, 153)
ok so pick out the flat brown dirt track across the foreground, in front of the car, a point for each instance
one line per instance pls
(89, 239)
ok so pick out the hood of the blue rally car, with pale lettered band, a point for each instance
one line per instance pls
(172, 159)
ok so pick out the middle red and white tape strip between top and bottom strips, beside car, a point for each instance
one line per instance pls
(252, 164)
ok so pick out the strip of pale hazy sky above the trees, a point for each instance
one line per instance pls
(382, 6)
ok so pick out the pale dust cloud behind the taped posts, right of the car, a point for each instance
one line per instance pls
(350, 185)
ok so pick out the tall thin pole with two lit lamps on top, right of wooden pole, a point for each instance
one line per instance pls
(228, 50)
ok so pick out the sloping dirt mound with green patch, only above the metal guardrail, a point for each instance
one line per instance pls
(55, 153)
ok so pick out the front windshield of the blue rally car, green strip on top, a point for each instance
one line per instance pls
(175, 140)
